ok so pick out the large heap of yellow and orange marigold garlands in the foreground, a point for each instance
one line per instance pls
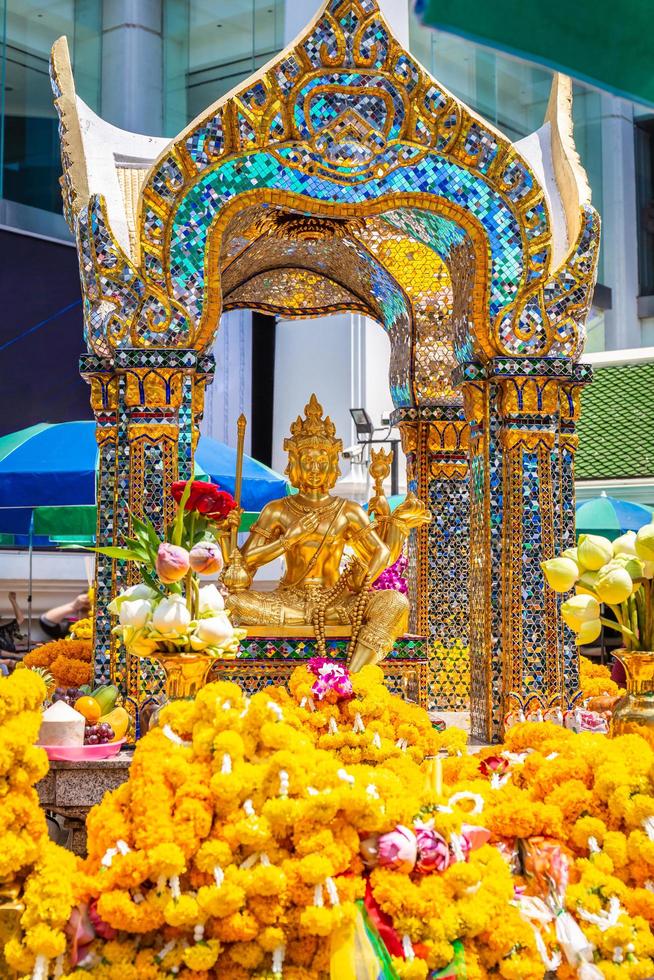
(298, 833)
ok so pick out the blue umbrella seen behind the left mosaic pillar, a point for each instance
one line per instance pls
(48, 465)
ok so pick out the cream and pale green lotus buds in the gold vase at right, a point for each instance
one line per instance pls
(618, 574)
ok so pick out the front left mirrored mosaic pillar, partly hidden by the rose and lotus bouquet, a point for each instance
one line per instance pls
(147, 405)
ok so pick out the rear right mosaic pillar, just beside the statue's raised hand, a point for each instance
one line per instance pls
(435, 441)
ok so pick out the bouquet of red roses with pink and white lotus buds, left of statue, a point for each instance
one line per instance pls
(170, 612)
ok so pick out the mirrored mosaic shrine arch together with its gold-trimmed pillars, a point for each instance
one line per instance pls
(344, 177)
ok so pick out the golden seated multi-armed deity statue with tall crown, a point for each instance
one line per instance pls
(333, 552)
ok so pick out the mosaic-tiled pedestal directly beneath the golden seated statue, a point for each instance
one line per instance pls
(265, 660)
